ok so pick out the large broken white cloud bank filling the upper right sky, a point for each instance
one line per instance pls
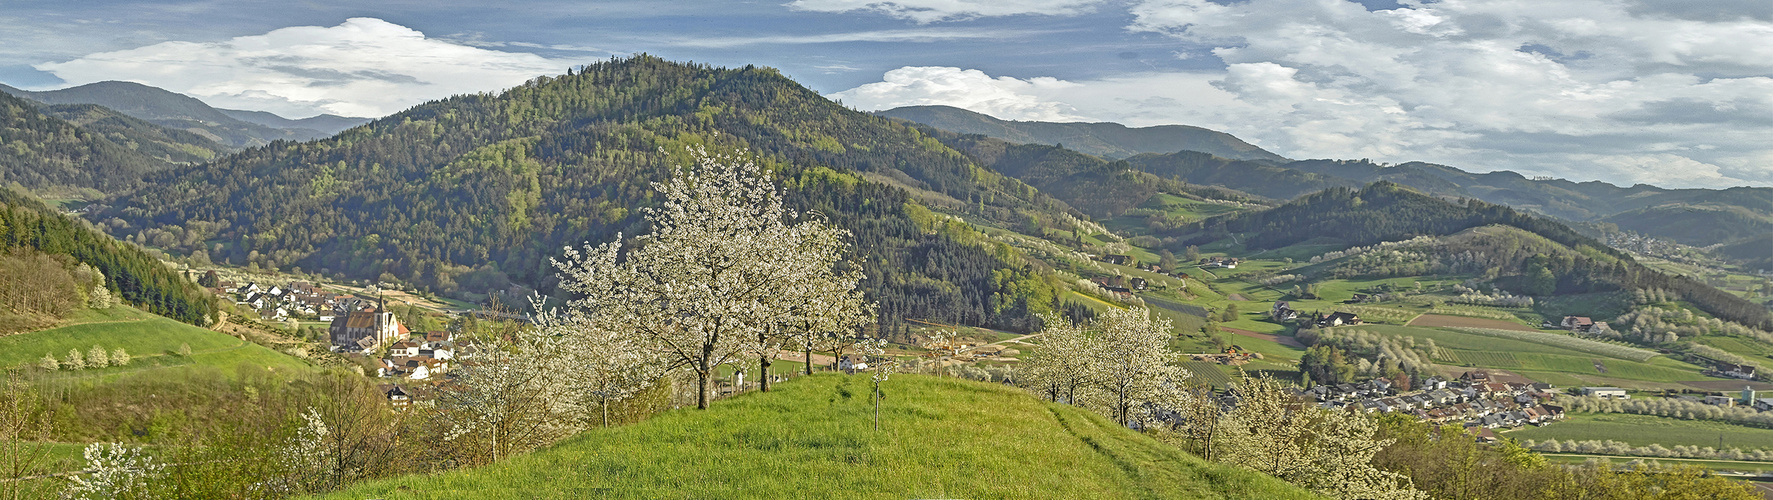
(1586, 90)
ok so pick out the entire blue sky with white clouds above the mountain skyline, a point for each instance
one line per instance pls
(1669, 93)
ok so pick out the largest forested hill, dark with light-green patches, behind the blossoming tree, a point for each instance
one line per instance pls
(474, 194)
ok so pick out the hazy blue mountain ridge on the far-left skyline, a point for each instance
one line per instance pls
(184, 113)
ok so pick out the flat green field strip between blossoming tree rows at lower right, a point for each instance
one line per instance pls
(1648, 430)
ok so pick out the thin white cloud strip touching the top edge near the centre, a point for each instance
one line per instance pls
(930, 12)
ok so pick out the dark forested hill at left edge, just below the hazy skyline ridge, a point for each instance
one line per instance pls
(45, 153)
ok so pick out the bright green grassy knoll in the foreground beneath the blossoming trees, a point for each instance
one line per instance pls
(811, 439)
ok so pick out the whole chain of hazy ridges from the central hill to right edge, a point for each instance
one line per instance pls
(1205, 157)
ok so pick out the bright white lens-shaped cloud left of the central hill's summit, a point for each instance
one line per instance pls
(366, 68)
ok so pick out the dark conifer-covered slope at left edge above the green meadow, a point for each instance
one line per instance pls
(130, 274)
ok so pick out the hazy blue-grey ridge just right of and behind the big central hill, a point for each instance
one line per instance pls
(1102, 139)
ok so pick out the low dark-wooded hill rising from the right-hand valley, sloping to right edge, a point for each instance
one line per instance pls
(1387, 212)
